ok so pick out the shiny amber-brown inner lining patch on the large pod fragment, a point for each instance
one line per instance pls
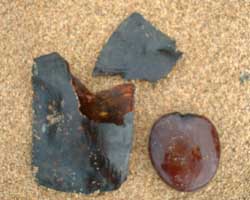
(107, 106)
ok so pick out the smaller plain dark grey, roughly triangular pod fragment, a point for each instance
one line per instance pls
(137, 50)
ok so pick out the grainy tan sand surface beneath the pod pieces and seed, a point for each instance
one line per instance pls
(215, 37)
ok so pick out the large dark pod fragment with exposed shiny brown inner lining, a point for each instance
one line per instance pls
(81, 141)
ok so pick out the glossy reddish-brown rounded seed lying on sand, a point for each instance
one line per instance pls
(184, 150)
